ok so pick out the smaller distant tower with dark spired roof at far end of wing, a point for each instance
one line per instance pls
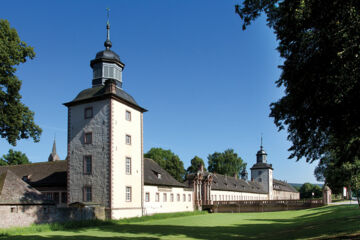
(262, 172)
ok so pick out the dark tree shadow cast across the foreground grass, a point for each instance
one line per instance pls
(327, 221)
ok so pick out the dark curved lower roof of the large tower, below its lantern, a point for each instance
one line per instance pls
(99, 92)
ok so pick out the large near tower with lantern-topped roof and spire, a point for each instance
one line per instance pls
(105, 141)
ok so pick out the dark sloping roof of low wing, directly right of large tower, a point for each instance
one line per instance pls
(151, 171)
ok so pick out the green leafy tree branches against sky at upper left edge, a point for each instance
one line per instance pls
(16, 119)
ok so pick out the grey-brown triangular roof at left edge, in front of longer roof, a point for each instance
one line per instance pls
(15, 191)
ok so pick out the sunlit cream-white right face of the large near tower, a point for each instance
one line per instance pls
(120, 150)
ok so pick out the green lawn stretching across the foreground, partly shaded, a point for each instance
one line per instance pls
(341, 222)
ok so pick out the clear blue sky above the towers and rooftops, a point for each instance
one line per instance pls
(206, 83)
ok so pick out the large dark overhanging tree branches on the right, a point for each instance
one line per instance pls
(319, 41)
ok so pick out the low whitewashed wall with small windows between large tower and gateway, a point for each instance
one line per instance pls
(152, 206)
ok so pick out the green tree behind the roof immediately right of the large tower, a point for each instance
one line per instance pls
(168, 161)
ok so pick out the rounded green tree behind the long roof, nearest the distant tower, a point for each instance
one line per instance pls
(227, 163)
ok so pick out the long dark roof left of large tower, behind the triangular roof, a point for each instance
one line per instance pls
(43, 174)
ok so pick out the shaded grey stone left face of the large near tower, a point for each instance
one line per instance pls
(98, 149)
